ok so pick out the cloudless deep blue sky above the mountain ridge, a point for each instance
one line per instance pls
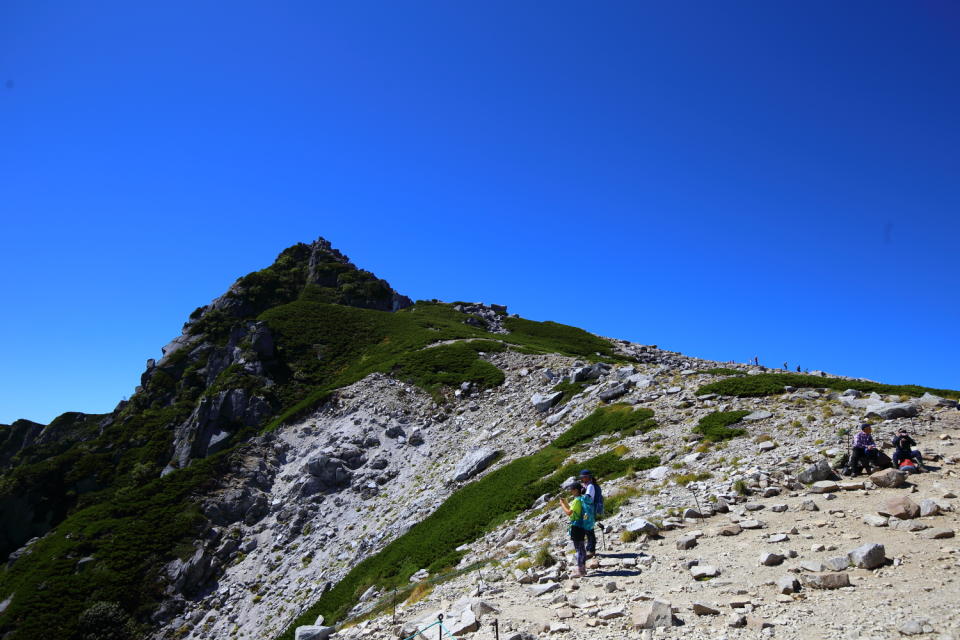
(725, 179)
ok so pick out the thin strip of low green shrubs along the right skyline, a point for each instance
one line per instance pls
(766, 384)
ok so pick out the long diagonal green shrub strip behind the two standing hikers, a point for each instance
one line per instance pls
(476, 508)
